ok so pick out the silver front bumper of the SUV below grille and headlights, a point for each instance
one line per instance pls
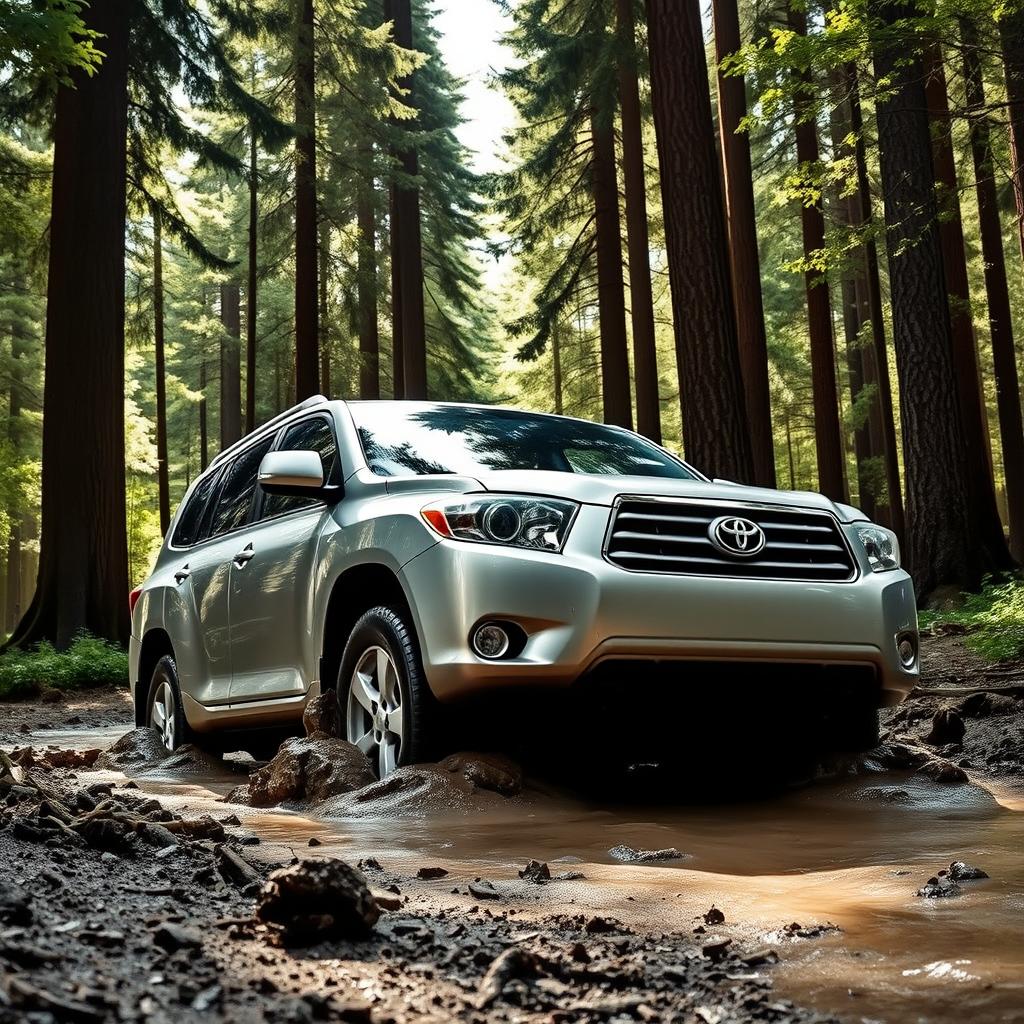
(579, 610)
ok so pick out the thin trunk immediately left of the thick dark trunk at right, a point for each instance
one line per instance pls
(877, 359)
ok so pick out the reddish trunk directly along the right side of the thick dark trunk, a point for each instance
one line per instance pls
(982, 492)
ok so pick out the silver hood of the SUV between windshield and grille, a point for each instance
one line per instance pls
(594, 490)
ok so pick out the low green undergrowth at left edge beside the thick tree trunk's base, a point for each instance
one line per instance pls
(88, 664)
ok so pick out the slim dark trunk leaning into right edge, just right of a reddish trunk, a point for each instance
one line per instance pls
(1000, 314)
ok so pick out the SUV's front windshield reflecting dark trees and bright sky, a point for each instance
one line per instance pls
(400, 439)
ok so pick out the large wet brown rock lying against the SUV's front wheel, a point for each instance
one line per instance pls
(311, 769)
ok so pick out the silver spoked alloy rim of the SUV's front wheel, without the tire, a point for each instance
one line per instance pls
(374, 716)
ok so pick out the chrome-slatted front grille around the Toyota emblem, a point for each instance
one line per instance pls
(674, 537)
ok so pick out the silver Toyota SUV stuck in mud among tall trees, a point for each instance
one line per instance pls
(412, 554)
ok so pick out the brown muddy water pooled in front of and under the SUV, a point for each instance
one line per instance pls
(851, 852)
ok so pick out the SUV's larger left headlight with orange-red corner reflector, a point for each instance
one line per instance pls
(540, 524)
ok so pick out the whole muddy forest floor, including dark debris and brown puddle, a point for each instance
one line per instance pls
(132, 890)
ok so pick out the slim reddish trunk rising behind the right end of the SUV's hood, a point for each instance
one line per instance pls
(828, 437)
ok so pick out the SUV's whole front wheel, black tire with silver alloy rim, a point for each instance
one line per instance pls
(382, 692)
